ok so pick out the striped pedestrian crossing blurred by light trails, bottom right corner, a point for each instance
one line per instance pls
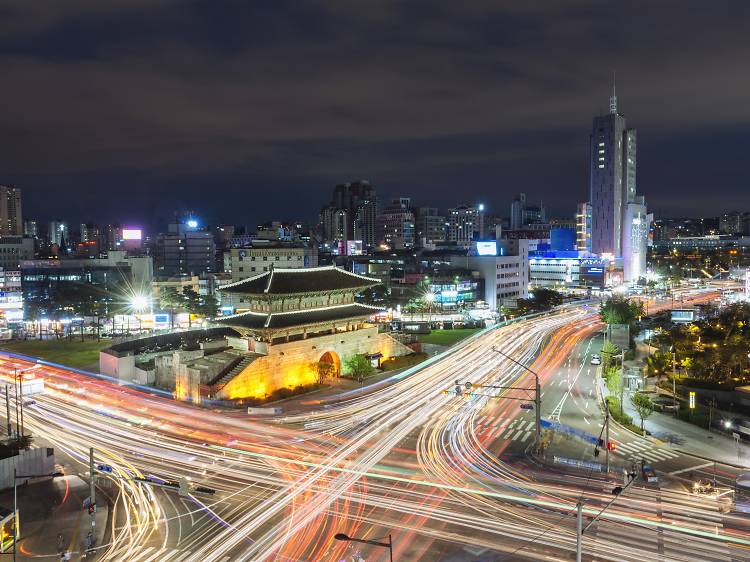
(669, 542)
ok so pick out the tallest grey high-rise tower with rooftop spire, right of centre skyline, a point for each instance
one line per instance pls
(619, 222)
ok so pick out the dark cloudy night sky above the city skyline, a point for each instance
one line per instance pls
(126, 110)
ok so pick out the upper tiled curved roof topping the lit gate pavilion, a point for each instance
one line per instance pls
(294, 281)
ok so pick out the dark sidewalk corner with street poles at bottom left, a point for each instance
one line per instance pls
(51, 507)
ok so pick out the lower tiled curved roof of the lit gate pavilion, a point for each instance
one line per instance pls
(276, 320)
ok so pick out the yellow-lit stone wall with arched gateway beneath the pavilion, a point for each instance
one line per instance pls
(293, 364)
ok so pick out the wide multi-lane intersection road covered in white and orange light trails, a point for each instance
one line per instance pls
(448, 477)
